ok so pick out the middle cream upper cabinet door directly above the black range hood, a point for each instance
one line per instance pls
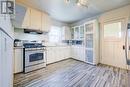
(35, 19)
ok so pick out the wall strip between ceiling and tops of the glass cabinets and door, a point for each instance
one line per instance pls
(112, 14)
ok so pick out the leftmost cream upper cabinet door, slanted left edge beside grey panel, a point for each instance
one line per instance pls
(26, 20)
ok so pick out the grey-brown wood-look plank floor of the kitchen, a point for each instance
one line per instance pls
(72, 73)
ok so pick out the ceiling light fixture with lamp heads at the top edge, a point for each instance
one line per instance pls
(83, 3)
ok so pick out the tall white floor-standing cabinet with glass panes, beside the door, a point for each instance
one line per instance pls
(92, 42)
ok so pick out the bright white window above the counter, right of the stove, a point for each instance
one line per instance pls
(55, 34)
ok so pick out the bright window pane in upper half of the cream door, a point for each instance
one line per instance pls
(112, 30)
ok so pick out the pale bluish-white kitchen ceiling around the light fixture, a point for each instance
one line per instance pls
(70, 13)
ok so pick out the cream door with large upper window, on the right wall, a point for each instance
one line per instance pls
(113, 41)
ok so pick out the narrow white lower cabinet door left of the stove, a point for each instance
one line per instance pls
(18, 60)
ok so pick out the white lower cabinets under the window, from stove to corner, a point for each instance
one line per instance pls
(55, 54)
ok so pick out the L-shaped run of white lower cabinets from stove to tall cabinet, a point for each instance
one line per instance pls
(55, 54)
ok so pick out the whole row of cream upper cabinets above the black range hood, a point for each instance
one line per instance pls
(29, 18)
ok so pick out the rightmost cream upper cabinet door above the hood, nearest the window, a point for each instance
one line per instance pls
(46, 22)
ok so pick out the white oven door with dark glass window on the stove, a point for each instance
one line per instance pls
(34, 57)
